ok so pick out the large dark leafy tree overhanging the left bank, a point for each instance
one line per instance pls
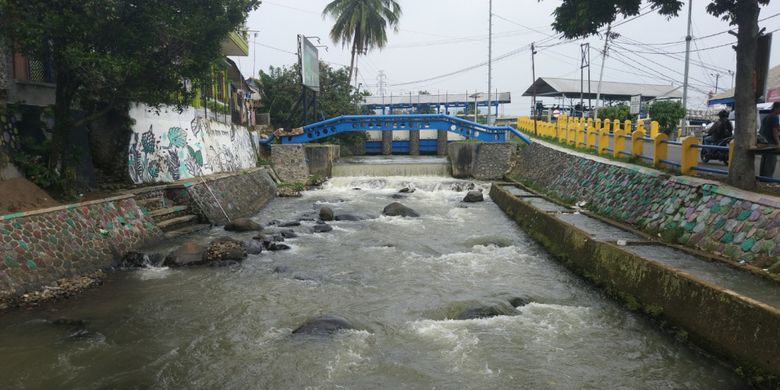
(108, 53)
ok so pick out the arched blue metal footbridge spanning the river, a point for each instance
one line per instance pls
(347, 123)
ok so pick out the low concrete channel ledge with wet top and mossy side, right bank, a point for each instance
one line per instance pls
(730, 312)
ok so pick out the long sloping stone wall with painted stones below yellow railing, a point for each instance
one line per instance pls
(702, 214)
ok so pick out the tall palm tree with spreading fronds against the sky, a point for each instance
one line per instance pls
(362, 24)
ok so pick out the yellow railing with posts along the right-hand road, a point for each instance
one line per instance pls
(627, 139)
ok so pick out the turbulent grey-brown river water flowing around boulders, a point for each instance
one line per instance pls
(397, 279)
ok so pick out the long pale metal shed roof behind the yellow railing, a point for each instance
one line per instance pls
(610, 90)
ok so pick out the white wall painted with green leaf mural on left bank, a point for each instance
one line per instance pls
(167, 145)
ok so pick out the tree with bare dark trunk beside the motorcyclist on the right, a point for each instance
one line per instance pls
(581, 18)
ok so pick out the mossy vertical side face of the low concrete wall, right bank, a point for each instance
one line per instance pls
(739, 328)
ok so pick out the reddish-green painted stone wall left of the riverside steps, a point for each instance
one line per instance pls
(42, 246)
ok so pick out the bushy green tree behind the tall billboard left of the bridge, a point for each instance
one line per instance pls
(281, 88)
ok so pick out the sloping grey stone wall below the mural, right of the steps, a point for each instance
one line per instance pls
(240, 194)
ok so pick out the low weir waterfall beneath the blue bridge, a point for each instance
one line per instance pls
(393, 166)
